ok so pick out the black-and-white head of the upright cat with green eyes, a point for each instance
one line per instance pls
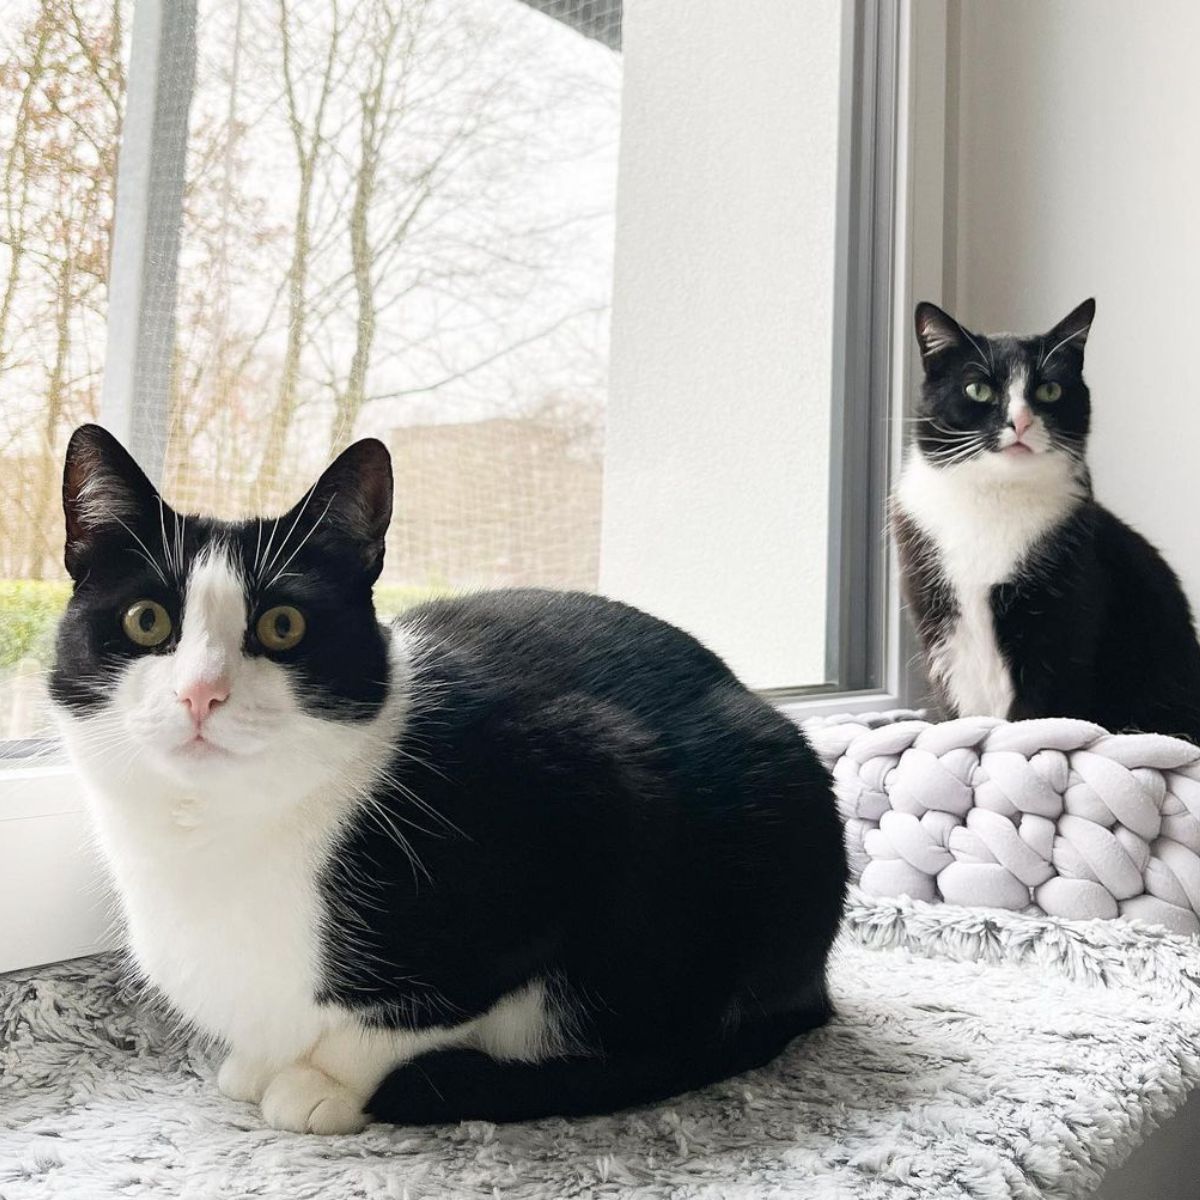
(1006, 405)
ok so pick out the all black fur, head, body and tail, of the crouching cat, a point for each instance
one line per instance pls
(589, 797)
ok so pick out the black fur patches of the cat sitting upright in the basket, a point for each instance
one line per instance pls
(1095, 623)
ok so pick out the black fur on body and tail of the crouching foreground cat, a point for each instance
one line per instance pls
(638, 829)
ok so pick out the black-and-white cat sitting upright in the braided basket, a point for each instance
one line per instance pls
(1030, 598)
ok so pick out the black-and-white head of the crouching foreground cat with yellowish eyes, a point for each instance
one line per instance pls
(219, 655)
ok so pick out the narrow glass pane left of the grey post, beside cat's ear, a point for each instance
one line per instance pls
(62, 99)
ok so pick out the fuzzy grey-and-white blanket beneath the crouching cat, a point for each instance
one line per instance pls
(974, 1055)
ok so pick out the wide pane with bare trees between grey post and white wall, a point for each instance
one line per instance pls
(399, 221)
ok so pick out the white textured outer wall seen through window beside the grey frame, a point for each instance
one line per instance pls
(717, 470)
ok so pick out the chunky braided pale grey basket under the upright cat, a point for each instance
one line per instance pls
(1049, 817)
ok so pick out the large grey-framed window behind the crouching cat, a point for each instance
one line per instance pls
(398, 218)
